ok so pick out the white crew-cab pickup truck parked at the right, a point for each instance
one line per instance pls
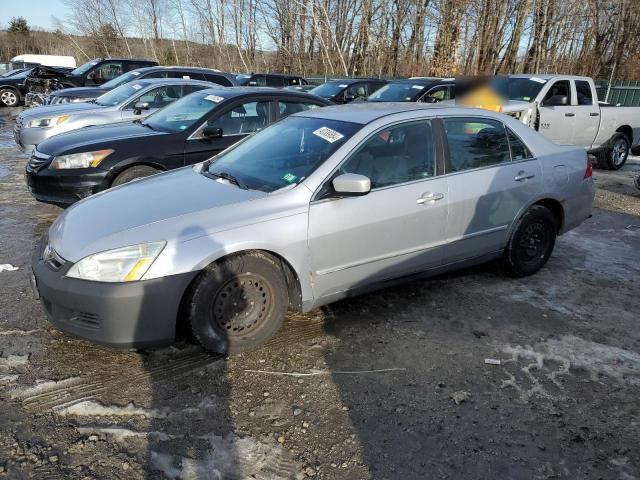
(565, 109)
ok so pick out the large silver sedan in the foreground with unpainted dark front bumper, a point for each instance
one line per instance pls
(323, 204)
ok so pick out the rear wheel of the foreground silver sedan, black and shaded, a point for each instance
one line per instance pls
(531, 242)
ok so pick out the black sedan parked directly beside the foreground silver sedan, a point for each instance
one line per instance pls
(188, 131)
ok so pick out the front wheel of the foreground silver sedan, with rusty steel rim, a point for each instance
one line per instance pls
(238, 304)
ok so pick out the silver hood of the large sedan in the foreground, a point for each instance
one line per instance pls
(169, 206)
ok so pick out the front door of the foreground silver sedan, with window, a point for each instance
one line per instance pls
(396, 229)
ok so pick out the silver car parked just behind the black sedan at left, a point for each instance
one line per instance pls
(127, 102)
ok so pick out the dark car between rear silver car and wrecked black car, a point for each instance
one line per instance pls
(82, 94)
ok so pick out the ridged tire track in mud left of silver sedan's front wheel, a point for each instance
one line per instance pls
(78, 389)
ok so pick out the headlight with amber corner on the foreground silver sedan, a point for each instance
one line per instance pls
(126, 264)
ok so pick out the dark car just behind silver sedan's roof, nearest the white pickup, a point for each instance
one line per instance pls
(423, 89)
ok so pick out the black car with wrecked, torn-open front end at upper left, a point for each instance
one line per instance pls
(42, 80)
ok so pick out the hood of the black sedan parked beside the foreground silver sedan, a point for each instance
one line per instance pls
(84, 138)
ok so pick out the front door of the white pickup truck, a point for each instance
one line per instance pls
(558, 122)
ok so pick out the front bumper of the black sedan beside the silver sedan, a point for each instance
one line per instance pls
(63, 187)
